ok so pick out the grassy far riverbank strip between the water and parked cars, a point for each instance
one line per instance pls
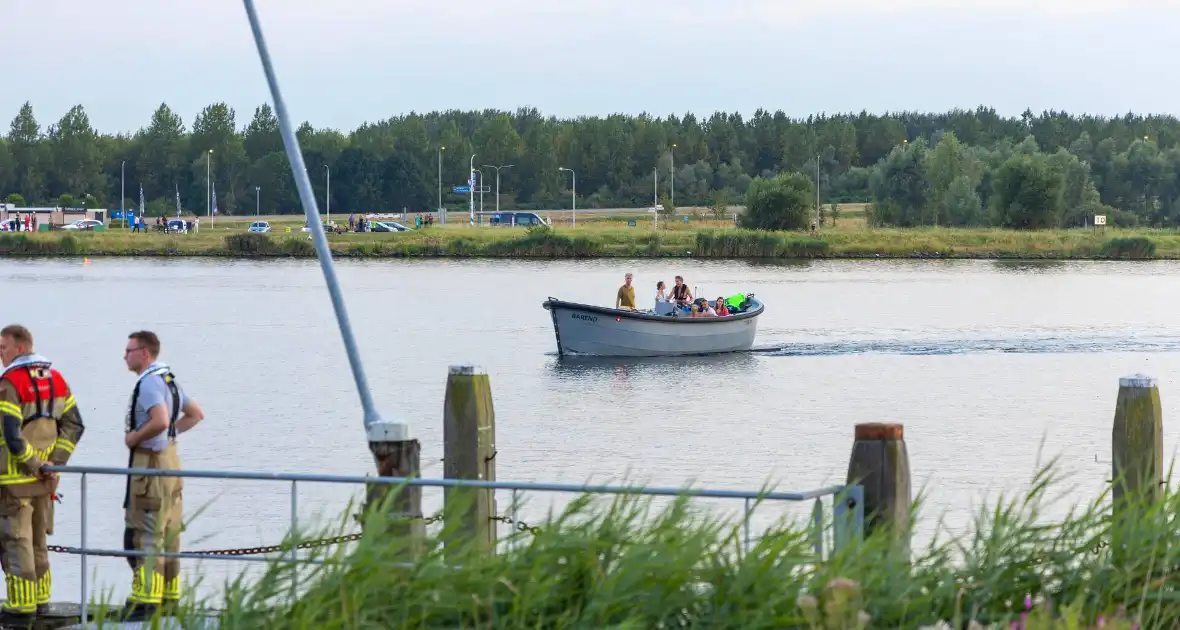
(614, 239)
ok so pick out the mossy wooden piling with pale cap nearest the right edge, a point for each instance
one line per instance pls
(1138, 442)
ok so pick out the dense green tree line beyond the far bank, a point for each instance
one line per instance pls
(959, 168)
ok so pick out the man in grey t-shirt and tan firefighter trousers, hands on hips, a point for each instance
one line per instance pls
(160, 411)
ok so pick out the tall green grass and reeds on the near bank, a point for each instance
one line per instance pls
(613, 566)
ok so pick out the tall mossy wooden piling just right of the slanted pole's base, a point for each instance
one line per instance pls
(469, 436)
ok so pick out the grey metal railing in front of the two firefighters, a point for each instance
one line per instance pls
(848, 508)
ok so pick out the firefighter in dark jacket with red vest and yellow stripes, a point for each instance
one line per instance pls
(41, 424)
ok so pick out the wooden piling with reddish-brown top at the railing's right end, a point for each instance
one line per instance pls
(881, 464)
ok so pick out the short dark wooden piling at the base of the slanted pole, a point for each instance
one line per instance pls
(397, 456)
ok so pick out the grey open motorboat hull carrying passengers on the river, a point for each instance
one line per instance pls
(588, 330)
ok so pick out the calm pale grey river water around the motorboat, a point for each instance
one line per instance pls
(987, 364)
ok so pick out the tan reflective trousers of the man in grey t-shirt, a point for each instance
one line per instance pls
(154, 522)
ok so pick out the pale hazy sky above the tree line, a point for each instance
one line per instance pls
(342, 63)
